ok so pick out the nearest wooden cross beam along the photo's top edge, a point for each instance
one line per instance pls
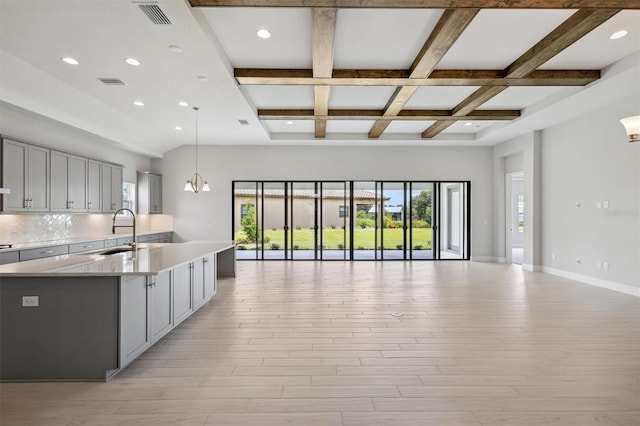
(427, 4)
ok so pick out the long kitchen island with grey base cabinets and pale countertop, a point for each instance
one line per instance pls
(87, 316)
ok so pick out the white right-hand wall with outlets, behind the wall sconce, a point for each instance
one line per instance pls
(585, 161)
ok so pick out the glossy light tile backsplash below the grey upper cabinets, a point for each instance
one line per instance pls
(29, 228)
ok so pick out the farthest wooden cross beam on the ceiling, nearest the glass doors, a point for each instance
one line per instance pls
(369, 114)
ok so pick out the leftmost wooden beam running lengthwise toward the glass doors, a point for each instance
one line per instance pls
(324, 27)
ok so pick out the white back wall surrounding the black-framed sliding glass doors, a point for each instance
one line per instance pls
(208, 215)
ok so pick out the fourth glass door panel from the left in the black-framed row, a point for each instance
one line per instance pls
(334, 220)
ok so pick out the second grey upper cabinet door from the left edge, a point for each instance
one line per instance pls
(38, 179)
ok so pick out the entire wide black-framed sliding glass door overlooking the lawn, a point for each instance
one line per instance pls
(351, 220)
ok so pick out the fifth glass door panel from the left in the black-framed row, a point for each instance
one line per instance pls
(365, 201)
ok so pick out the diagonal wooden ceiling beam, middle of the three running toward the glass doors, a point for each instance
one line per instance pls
(450, 26)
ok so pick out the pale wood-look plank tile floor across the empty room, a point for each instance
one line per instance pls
(372, 343)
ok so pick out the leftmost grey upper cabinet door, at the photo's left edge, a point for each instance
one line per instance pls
(14, 175)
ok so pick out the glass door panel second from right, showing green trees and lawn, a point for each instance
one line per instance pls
(420, 222)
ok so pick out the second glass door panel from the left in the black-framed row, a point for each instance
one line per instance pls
(273, 226)
